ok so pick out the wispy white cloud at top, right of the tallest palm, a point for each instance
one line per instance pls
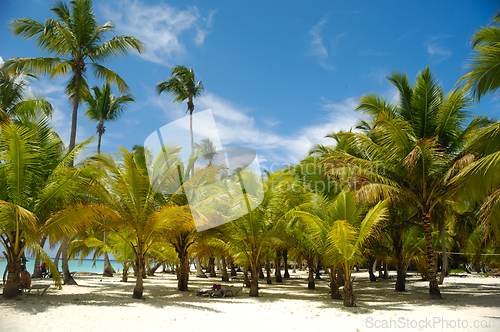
(160, 26)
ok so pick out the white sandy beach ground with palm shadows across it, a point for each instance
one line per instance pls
(107, 305)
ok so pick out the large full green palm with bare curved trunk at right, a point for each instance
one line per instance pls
(419, 142)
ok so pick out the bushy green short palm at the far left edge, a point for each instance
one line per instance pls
(34, 184)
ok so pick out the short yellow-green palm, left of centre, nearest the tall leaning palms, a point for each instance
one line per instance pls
(144, 215)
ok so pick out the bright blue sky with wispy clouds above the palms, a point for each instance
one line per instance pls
(278, 75)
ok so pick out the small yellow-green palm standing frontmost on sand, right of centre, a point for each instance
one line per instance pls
(345, 227)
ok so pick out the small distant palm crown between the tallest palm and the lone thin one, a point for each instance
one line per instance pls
(104, 106)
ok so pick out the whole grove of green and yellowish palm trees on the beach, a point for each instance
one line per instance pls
(417, 177)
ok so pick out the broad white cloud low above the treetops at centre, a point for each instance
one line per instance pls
(236, 127)
